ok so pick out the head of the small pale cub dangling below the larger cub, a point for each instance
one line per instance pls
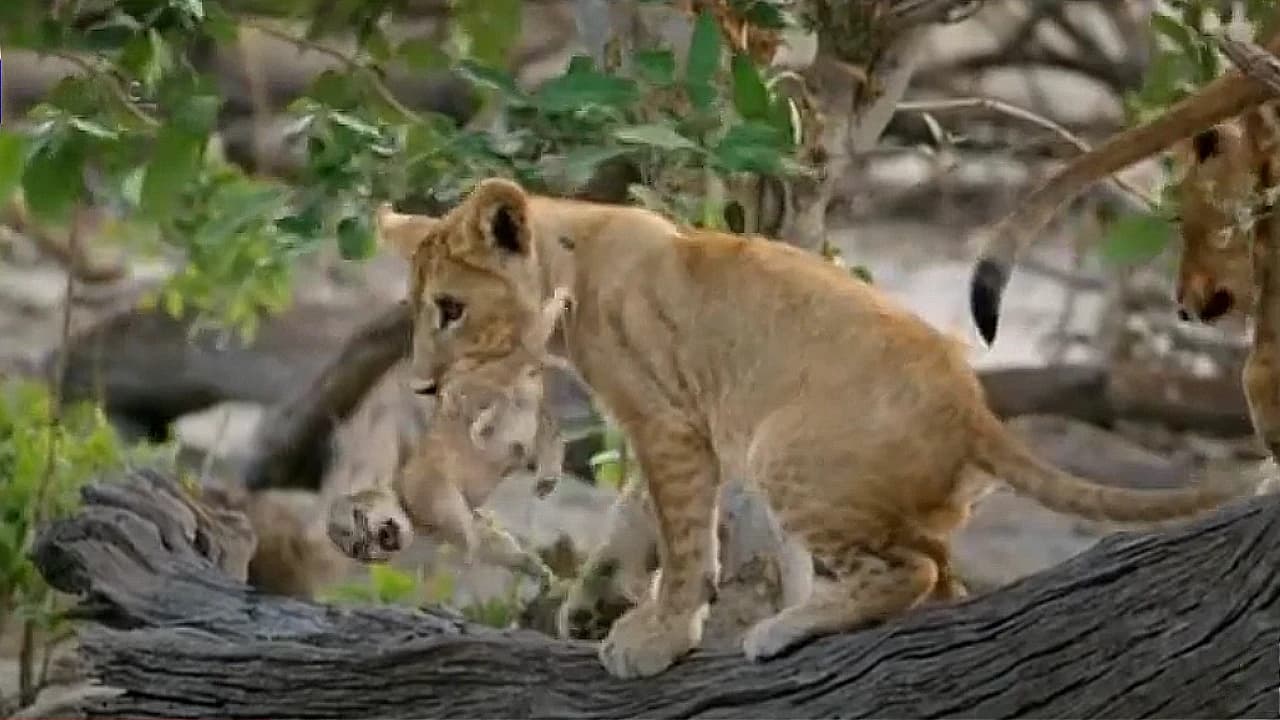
(369, 526)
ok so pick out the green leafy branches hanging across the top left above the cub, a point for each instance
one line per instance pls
(136, 130)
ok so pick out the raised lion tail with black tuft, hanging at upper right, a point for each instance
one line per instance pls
(1219, 101)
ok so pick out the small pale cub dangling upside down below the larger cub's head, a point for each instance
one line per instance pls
(483, 431)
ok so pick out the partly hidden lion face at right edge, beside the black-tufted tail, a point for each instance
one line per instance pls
(1215, 272)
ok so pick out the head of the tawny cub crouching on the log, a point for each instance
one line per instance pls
(474, 289)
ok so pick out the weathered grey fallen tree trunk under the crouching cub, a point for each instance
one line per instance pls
(1180, 625)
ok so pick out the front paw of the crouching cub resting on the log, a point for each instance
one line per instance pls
(646, 642)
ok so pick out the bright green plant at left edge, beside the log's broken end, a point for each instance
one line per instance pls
(47, 457)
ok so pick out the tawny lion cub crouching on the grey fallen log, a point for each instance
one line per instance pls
(732, 357)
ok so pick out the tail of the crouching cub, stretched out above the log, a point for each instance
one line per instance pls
(1003, 455)
